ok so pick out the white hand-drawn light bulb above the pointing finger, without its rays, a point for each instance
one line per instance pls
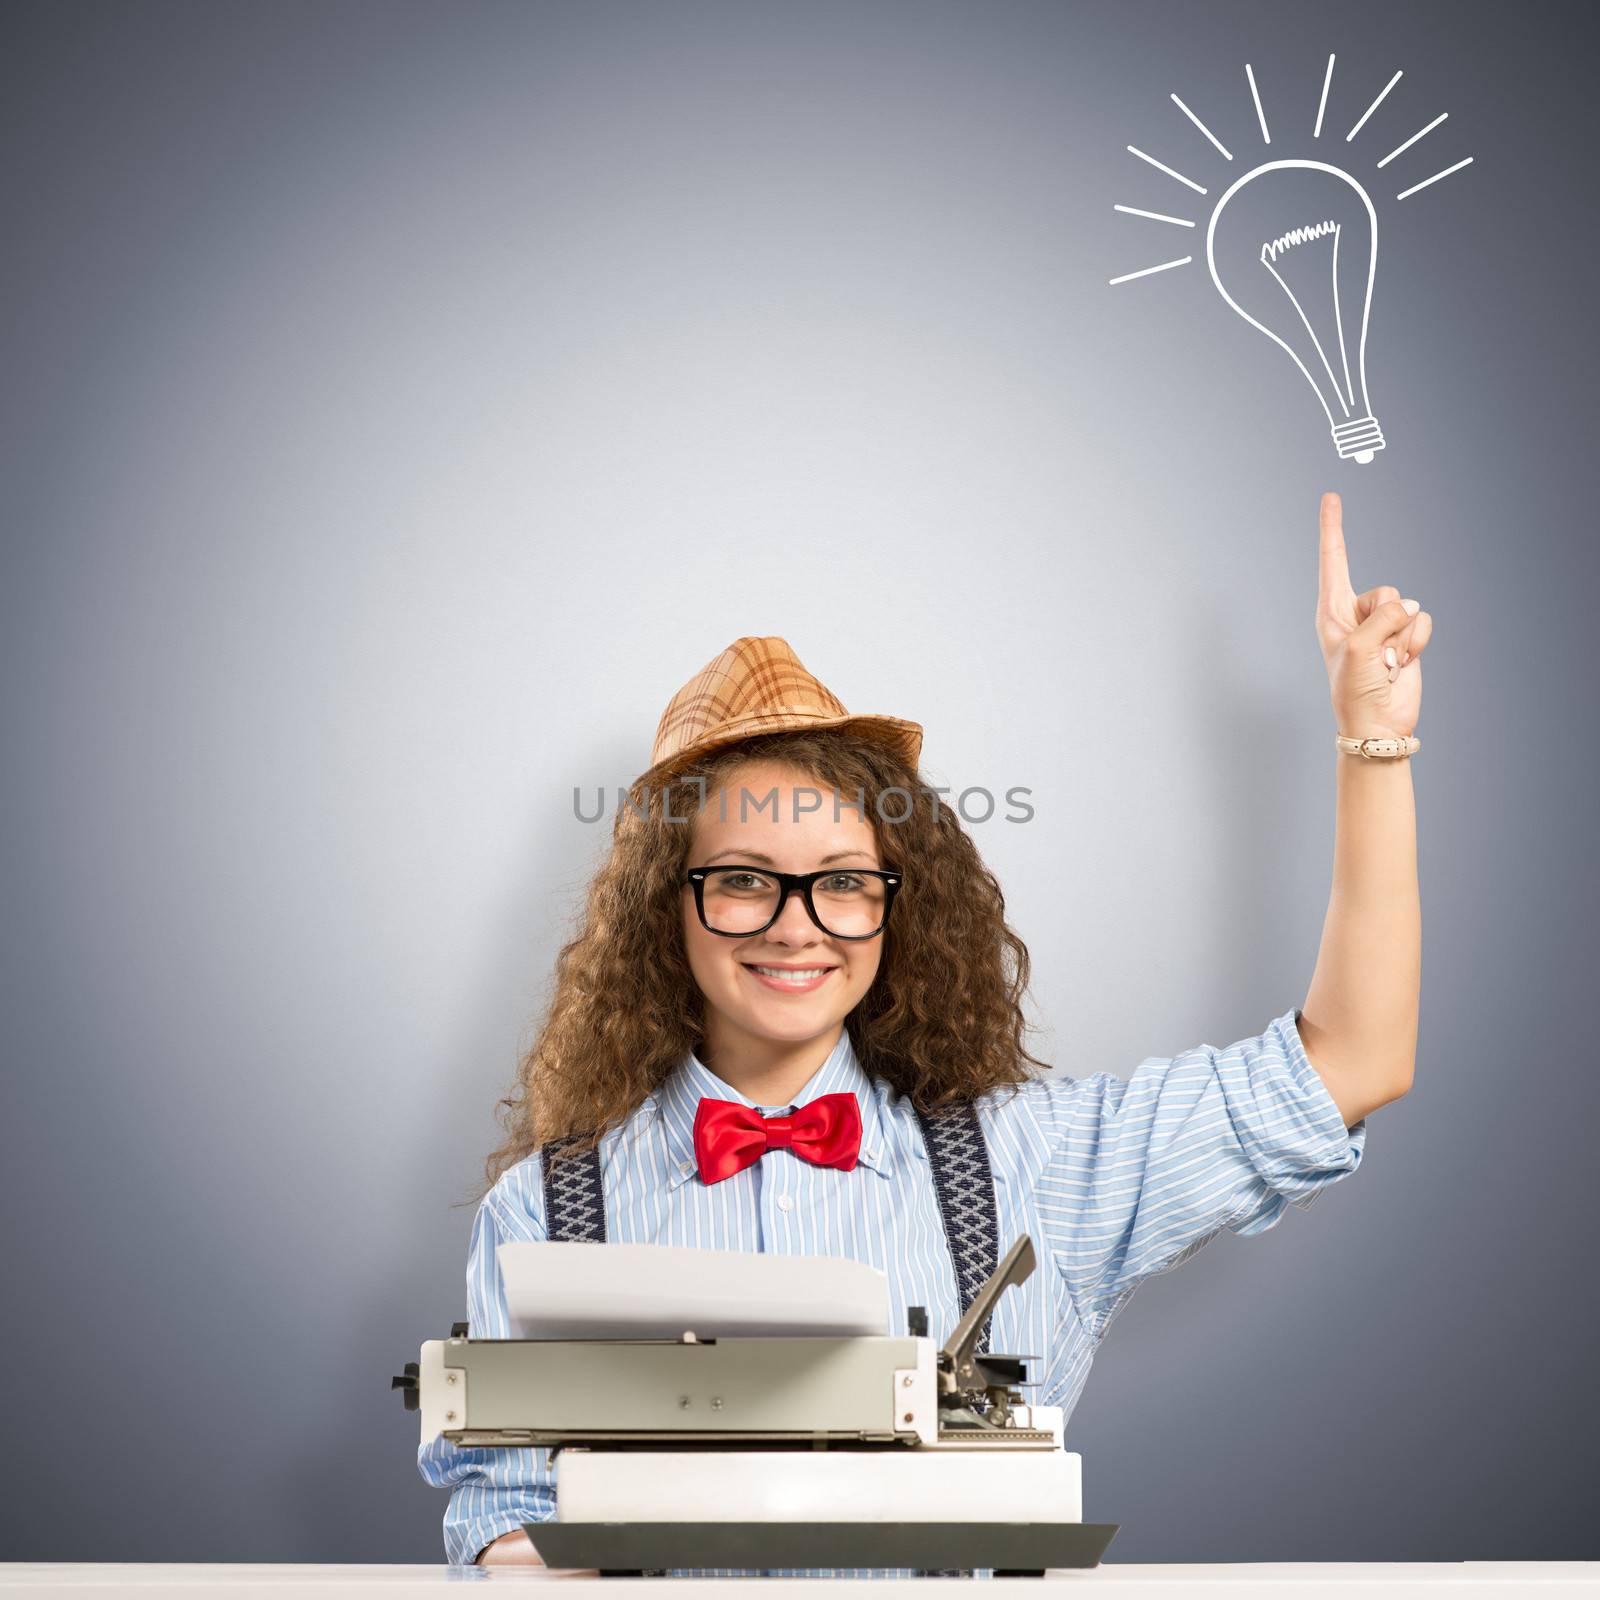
(1294, 247)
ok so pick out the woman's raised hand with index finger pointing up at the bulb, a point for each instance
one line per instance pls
(1370, 697)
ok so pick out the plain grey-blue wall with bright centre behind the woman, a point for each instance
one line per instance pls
(402, 401)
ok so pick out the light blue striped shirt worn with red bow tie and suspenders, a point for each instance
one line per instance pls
(1114, 1182)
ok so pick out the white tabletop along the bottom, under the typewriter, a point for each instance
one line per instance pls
(1255, 1582)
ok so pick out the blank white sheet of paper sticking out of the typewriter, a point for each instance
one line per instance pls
(663, 1292)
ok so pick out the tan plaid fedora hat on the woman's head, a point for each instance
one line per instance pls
(759, 686)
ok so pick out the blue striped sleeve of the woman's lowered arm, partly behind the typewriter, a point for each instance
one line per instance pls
(492, 1490)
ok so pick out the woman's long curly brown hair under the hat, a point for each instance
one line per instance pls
(943, 1022)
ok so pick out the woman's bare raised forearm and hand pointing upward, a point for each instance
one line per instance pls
(1361, 1017)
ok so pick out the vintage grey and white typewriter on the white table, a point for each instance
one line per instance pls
(777, 1452)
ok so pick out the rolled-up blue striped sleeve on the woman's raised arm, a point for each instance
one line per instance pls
(1146, 1172)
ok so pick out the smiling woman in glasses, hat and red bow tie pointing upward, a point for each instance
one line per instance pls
(794, 969)
